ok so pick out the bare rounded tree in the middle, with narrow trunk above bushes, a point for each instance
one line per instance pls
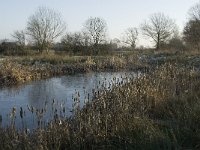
(96, 29)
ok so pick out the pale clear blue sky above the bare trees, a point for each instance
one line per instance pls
(119, 14)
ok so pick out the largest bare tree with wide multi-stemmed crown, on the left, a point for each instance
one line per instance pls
(44, 27)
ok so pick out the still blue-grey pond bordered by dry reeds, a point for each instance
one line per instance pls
(35, 104)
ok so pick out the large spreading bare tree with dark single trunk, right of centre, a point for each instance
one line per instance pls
(160, 28)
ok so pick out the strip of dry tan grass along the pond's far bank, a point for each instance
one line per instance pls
(17, 70)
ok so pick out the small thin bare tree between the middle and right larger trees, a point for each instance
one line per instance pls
(131, 37)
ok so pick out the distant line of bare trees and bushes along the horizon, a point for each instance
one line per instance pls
(46, 25)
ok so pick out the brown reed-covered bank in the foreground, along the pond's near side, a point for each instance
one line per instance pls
(159, 110)
